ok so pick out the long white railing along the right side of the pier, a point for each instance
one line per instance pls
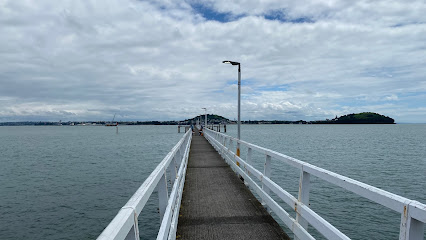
(413, 213)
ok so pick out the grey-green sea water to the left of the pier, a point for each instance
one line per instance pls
(68, 182)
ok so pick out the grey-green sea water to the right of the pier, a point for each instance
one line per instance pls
(390, 157)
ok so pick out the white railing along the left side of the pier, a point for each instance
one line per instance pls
(125, 223)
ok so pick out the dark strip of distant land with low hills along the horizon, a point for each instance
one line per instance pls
(354, 118)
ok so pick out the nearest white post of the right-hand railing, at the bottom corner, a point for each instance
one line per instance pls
(410, 228)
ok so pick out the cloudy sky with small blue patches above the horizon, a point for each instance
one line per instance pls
(74, 60)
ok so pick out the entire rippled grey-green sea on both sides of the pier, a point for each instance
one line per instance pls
(68, 182)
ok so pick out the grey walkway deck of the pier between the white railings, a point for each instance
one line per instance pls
(217, 205)
